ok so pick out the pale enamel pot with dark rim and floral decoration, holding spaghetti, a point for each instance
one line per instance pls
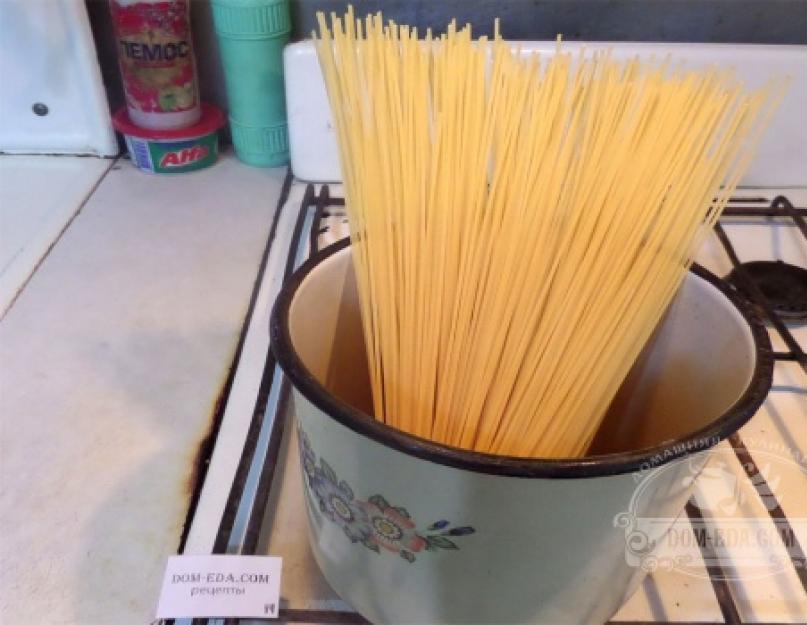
(409, 531)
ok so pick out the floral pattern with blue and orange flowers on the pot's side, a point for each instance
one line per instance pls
(372, 522)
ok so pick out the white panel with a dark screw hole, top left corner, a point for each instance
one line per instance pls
(49, 58)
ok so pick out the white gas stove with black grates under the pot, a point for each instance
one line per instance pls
(737, 555)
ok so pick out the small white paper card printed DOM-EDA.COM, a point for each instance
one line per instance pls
(224, 586)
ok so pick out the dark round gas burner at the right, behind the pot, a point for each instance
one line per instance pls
(784, 286)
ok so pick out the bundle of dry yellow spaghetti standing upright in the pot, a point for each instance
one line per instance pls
(520, 224)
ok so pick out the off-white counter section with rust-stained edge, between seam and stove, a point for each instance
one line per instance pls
(113, 357)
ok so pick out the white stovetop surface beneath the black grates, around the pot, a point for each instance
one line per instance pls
(770, 591)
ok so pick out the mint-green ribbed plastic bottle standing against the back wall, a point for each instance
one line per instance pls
(252, 34)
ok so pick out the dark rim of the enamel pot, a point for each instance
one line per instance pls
(514, 466)
